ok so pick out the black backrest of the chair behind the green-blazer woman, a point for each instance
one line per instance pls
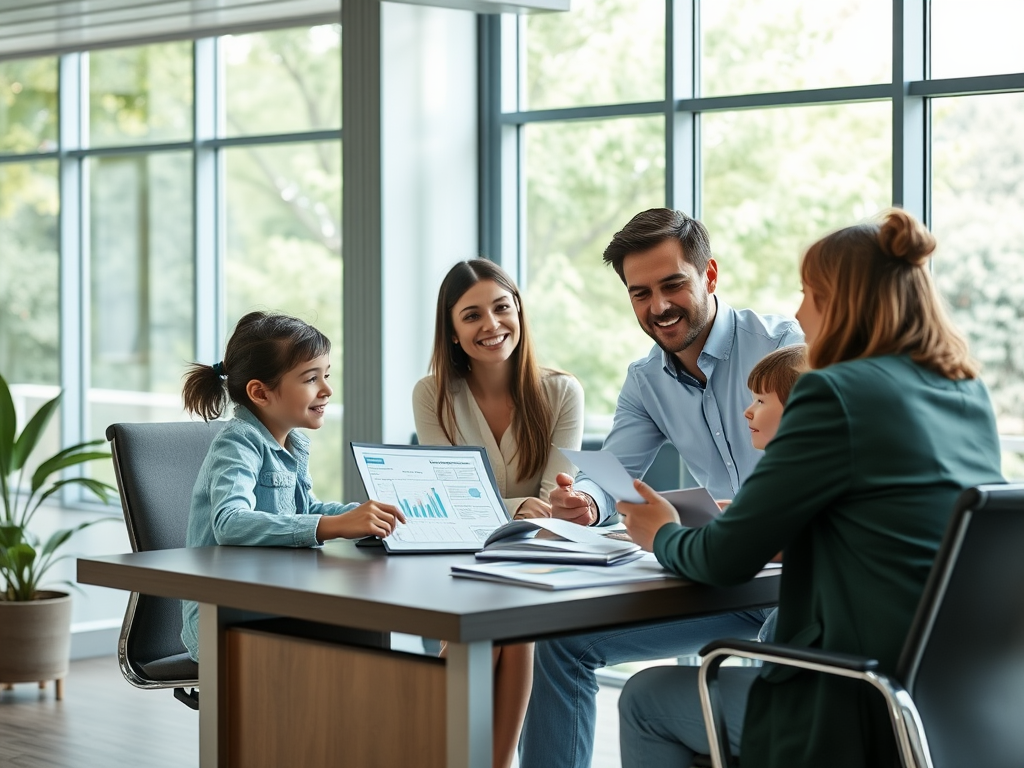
(964, 660)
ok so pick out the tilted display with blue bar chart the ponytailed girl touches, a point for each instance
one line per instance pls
(448, 495)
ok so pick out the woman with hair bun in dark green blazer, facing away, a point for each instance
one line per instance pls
(878, 441)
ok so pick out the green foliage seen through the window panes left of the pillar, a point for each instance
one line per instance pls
(283, 227)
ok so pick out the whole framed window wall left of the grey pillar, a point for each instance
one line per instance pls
(198, 181)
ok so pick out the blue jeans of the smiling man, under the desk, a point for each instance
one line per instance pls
(560, 728)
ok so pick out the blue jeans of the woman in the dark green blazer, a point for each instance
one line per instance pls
(661, 722)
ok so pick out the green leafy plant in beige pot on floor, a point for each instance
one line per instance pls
(35, 623)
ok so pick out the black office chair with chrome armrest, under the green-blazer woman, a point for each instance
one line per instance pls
(958, 696)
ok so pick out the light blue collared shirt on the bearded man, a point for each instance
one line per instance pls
(662, 403)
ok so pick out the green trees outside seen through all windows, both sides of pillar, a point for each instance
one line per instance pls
(773, 182)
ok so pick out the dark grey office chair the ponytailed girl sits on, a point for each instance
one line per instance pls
(156, 467)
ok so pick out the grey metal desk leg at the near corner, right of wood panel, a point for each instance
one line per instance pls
(471, 679)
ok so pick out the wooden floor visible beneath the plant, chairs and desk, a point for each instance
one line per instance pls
(104, 722)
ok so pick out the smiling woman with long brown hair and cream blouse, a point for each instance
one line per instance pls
(486, 389)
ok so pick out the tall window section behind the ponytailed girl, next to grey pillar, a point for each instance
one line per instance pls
(283, 198)
